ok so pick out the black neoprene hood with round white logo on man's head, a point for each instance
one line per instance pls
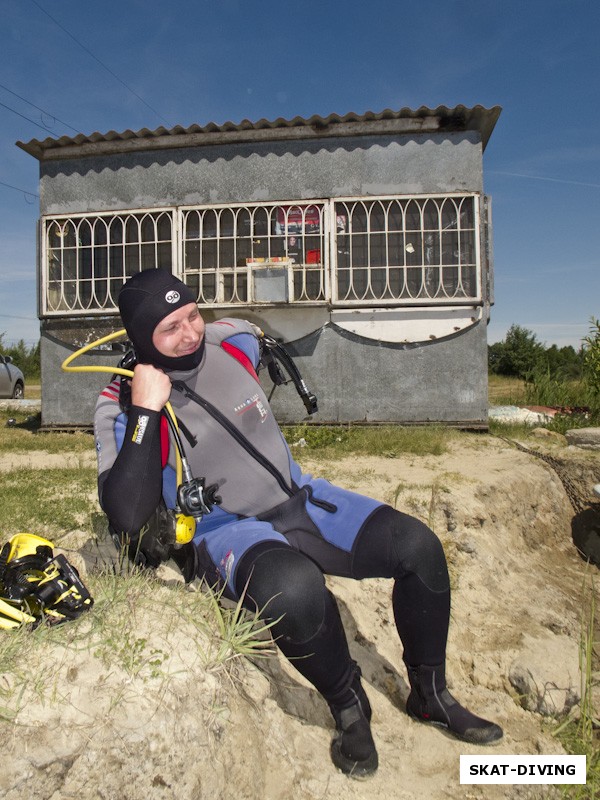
(144, 301)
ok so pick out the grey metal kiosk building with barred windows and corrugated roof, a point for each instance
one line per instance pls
(363, 241)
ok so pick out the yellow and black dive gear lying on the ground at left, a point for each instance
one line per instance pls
(37, 586)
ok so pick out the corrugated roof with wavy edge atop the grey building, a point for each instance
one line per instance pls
(421, 120)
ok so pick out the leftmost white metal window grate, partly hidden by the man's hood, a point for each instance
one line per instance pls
(86, 259)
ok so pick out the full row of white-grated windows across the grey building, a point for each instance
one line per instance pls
(364, 252)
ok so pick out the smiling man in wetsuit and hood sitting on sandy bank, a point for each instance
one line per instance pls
(275, 532)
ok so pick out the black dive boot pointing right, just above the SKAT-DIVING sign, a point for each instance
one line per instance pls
(431, 702)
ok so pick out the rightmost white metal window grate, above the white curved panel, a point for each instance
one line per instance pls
(407, 250)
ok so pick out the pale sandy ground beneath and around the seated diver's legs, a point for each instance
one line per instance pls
(505, 521)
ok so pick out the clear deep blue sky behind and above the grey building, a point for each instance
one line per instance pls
(83, 67)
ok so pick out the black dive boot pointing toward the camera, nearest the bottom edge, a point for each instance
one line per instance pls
(353, 749)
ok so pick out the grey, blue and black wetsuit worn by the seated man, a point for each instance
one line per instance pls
(277, 530)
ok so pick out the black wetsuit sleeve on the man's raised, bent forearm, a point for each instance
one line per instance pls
(131, 490)
